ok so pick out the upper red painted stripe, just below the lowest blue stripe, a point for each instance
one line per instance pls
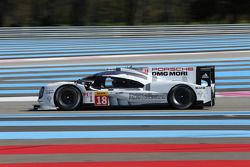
(122, 148)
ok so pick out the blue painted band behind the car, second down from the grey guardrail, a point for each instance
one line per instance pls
(135, 46)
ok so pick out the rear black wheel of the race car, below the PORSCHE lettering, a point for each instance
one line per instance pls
(181, 97)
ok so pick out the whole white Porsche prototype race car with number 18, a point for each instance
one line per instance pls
(178, 87)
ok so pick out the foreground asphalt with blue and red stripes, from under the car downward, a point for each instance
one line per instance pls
(14, 116)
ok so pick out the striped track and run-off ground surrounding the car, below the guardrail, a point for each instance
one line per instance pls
(155, 137)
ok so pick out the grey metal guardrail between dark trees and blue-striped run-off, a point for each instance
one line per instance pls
(121, 31)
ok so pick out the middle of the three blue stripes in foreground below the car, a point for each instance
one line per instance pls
(125, 122)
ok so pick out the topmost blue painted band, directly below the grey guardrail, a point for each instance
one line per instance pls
(224, 38)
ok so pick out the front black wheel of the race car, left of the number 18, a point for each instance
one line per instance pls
(68, 98)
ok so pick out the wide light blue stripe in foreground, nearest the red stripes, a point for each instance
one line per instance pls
(126, 134)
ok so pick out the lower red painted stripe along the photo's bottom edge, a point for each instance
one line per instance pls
(192, 163)
